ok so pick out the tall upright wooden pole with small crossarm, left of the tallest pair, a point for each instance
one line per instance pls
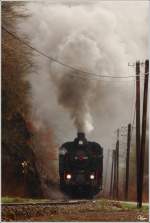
(138, 128)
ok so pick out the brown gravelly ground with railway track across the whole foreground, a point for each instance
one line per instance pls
(67, 210)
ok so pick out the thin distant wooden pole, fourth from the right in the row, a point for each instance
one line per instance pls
(117, 165)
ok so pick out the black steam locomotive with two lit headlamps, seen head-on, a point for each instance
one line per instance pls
(81, 167)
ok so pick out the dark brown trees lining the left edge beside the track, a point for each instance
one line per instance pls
(19, 172)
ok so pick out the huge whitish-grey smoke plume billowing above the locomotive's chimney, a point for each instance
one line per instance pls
(99, 38)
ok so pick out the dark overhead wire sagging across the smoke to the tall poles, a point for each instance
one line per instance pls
(96, 76)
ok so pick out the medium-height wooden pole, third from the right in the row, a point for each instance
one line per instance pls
(127, 161)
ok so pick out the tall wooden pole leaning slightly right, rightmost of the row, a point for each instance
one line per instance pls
(143, 137)
